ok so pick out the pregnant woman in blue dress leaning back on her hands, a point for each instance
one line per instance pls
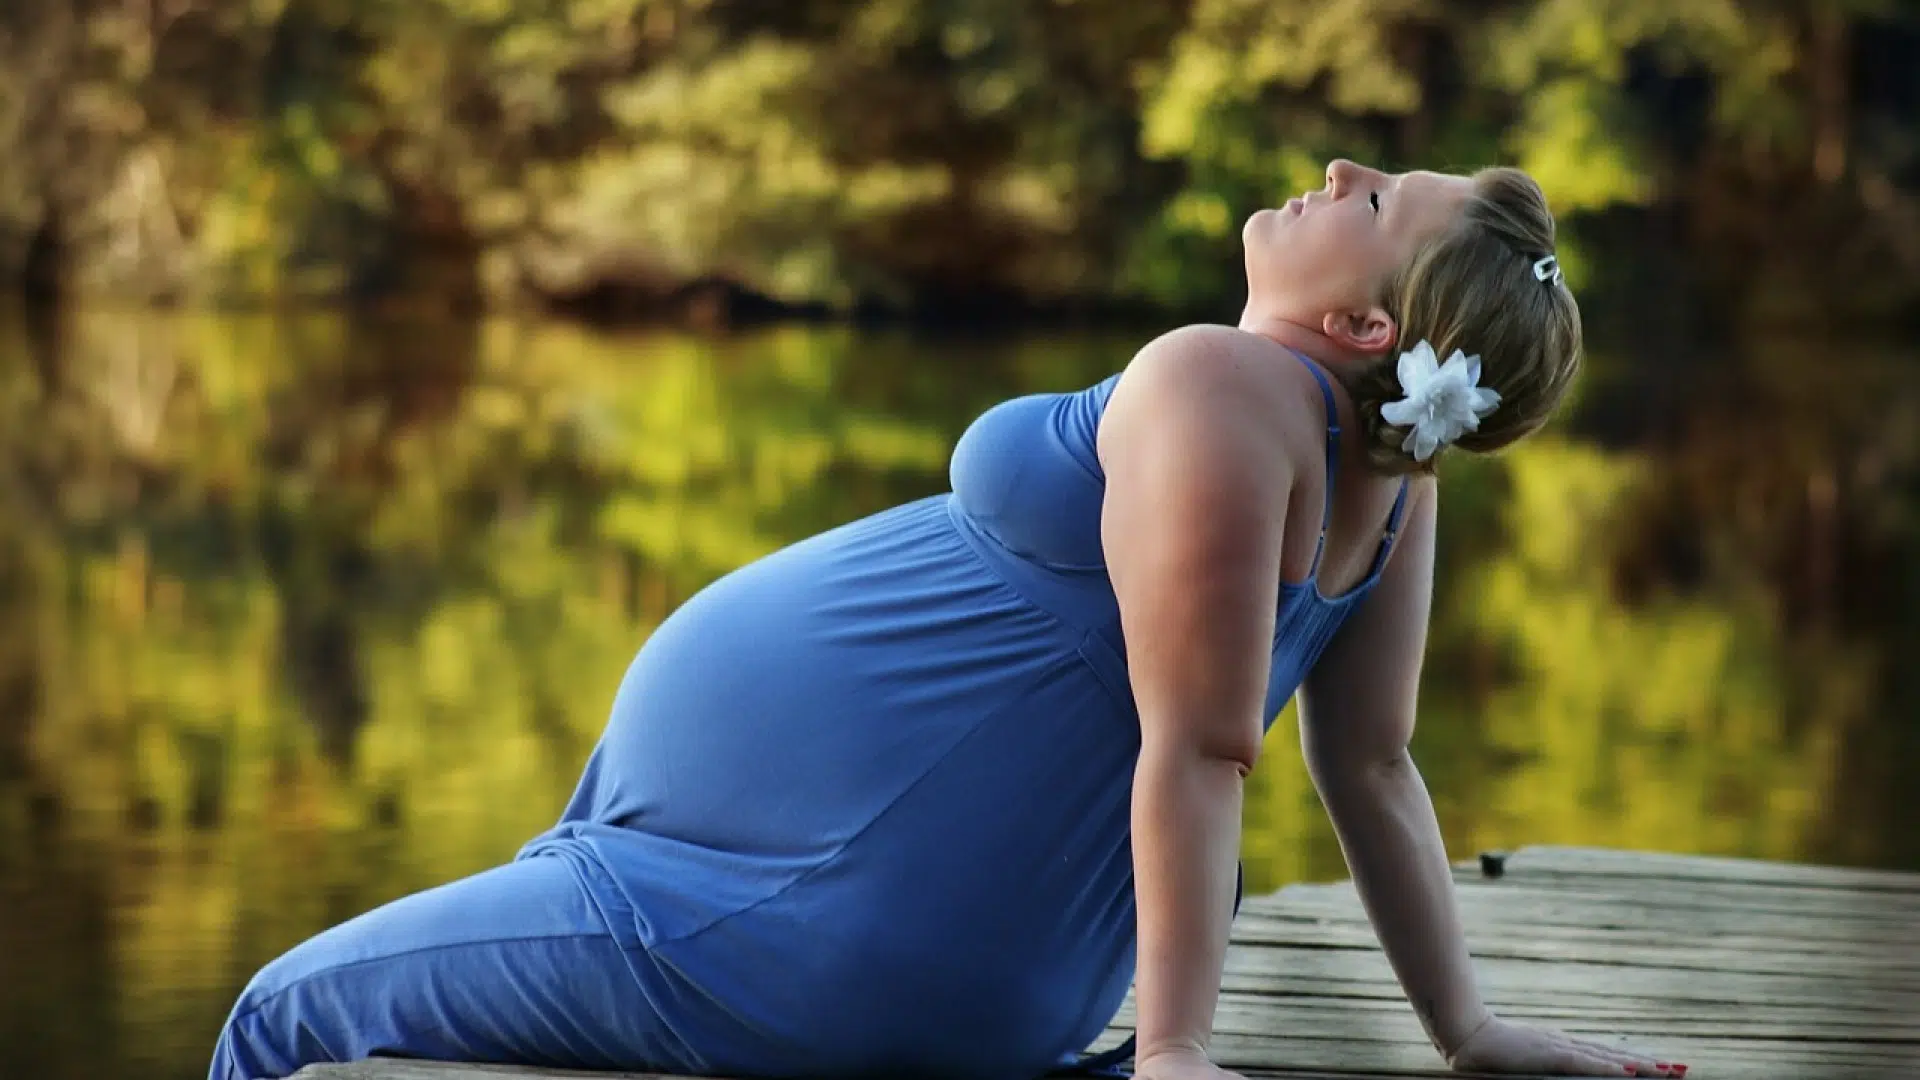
(924, 795)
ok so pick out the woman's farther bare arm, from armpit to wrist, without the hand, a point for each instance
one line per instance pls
(1356, 724)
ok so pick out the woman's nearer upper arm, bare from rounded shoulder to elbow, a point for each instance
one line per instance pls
(1197, 481)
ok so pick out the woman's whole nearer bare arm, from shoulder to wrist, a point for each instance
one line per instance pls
(1197, 487)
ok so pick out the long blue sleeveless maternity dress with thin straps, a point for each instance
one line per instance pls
(861, 808)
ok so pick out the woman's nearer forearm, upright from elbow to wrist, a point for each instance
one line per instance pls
(1186, 850)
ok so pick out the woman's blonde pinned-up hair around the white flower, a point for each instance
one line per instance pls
(1474, 289)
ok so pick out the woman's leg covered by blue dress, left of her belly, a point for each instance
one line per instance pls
(510, 966)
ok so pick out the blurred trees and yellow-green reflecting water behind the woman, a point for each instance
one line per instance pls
(375, 376)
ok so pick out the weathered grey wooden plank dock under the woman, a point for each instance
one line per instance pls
(1740, 970)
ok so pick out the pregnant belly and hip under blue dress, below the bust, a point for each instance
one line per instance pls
(924, 787)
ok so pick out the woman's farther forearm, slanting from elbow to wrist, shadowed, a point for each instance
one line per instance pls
(1393, 847)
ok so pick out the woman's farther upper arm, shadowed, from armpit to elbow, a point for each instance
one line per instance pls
(1358, 702)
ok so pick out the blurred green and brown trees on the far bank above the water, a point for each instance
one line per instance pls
(894, 151)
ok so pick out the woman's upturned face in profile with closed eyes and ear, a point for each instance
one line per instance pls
(1320, 260)
